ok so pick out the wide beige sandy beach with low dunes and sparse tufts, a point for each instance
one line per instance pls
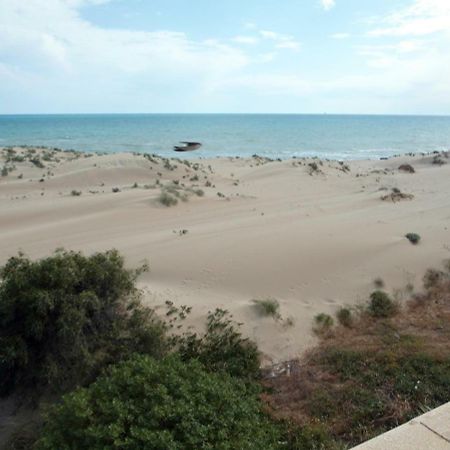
(314, 235)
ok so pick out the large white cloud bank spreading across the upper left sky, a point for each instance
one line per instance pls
(41, 34)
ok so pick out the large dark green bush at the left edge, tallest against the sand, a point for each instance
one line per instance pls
(64, 317)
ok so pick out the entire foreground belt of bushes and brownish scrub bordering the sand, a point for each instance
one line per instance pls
(73, 325)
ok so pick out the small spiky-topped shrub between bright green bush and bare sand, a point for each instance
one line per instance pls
(221, 348)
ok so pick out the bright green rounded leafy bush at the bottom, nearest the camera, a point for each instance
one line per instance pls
(167, 404)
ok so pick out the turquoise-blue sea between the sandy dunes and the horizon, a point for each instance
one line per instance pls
(272, 135)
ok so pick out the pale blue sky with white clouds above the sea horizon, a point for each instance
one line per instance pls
(230, 56)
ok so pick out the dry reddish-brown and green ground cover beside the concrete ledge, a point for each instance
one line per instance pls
(391, 365)
